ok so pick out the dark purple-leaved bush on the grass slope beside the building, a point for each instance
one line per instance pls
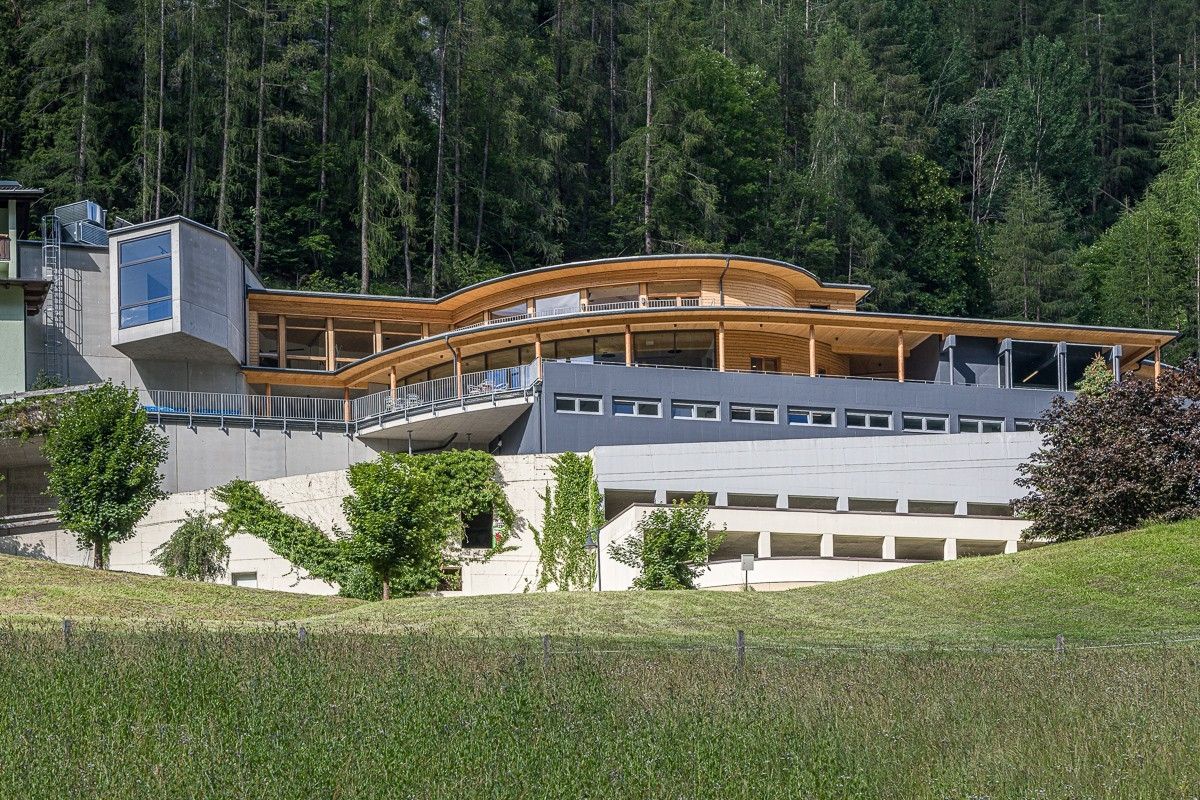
(1117, 458)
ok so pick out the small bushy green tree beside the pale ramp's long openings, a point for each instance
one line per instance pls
(671, 548)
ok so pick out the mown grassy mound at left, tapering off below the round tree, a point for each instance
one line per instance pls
(39, 591)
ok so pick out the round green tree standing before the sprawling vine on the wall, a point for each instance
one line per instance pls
(398, 527)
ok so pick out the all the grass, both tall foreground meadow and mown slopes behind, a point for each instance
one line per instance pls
(935, 682)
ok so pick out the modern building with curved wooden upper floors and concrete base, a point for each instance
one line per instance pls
(676, 360)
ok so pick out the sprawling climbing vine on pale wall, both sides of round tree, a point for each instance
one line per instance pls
(465, 485)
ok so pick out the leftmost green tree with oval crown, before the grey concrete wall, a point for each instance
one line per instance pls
(105, 460)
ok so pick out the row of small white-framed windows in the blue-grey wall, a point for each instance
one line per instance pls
(770, 416)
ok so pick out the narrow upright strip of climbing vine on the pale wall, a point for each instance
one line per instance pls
(572, 512)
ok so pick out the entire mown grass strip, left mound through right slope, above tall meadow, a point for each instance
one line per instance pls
(1143, 585)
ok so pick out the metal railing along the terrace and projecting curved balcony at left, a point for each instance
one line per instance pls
(428, 396)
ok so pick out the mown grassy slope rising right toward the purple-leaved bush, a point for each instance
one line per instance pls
(1143, 585)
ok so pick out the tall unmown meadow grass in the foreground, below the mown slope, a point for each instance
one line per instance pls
(217, 714)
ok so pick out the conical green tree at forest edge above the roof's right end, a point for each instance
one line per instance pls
(1031, 257)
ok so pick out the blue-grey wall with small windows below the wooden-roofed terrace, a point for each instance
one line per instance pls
(547, 431)
